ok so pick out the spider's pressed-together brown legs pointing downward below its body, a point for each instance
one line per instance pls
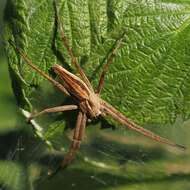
(77, 138)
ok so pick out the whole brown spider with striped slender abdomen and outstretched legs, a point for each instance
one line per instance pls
(88, 100)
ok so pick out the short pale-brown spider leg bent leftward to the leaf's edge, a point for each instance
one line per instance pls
(53, 110)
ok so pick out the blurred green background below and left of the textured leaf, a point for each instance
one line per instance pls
(109, 159)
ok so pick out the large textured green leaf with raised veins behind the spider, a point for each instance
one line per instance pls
(149, 77)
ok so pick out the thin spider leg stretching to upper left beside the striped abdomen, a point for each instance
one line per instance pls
(29, 62)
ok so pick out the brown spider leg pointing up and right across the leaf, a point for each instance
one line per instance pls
(108, 63)
